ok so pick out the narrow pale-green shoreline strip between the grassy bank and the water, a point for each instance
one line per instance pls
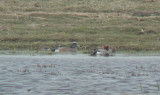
(50, 53)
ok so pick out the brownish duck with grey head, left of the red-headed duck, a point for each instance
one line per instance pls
(72, 49)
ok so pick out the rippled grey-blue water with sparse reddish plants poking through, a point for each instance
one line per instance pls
(79, 75)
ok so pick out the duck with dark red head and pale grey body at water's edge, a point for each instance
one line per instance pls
(106, 51)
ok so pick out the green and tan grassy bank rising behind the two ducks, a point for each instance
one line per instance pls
(129, 25)
